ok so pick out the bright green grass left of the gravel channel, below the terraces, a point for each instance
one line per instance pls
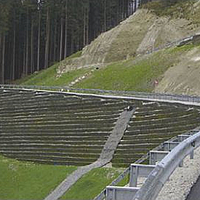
(25, 180)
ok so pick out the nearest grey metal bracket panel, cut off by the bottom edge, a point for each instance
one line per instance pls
(120, 193)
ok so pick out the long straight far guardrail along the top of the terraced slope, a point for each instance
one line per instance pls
(130, 94)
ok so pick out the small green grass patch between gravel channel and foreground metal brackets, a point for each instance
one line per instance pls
(92, 183)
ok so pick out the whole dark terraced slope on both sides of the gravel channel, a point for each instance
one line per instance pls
(68, 129)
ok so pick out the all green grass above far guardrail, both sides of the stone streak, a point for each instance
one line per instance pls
(138, 74)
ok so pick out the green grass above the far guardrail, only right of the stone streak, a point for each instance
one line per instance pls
(136, 74)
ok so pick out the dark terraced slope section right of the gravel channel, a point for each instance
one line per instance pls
(152, 124)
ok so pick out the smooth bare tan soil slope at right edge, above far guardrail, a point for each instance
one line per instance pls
(184, 78)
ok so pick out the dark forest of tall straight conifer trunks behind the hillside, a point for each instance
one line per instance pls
(34, 34)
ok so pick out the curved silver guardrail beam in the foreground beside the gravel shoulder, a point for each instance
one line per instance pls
(163, 170)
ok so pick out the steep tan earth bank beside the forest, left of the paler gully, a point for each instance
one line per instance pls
(117, 44)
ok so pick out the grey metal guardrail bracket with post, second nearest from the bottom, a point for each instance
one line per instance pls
(138, 170)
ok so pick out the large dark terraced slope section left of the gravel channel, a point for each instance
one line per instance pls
(55, 128)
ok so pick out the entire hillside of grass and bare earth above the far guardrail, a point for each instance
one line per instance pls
(118, 54)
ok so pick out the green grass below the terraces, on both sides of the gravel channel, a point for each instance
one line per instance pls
(26, 180)
